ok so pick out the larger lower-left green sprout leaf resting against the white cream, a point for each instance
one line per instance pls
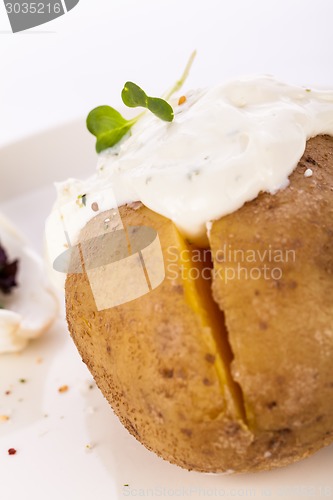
(108, 126)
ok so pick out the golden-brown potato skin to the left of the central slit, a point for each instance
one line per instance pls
(150, 359)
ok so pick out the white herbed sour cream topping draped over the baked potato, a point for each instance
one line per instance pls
(225, 146)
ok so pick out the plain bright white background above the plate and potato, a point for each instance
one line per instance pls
(62, 69)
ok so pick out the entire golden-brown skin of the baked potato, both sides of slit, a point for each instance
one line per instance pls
(151, 360)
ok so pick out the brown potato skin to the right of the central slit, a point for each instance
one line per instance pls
(281, 330)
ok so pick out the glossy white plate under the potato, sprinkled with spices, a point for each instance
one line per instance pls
(50, 430)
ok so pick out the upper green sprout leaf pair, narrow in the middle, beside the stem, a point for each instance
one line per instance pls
(133, 96)
